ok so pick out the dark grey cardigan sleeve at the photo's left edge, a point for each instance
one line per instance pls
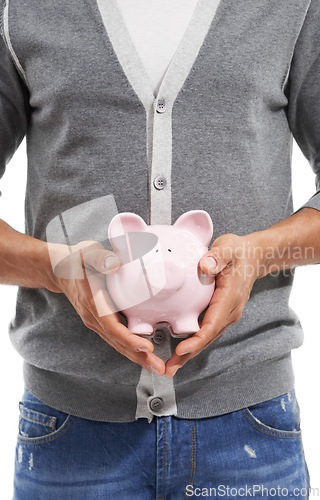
(14, 108)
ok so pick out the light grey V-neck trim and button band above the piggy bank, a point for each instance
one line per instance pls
(159, 125)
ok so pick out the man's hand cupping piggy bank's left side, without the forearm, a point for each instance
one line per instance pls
(79, 272)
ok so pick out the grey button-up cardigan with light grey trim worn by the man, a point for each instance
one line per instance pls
(243, 82)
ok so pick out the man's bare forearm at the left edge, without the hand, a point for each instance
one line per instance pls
(24, 260)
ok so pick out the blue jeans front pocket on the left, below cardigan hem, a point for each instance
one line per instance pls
(39, 422)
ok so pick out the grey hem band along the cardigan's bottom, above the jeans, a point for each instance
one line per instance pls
(208, 397)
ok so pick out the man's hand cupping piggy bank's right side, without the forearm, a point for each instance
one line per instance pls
(236, 270)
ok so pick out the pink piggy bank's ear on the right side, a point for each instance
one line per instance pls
(197, 222)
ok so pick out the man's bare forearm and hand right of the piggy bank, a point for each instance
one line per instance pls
(237, 262)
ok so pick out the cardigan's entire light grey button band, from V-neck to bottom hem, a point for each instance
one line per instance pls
(159, 149)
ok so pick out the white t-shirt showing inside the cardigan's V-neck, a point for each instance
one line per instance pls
(156, 28)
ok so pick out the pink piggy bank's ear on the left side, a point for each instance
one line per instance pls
(129, 238)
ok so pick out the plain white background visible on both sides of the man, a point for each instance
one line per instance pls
(304, 300)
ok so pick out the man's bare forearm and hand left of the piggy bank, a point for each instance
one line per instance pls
(79, 272)
